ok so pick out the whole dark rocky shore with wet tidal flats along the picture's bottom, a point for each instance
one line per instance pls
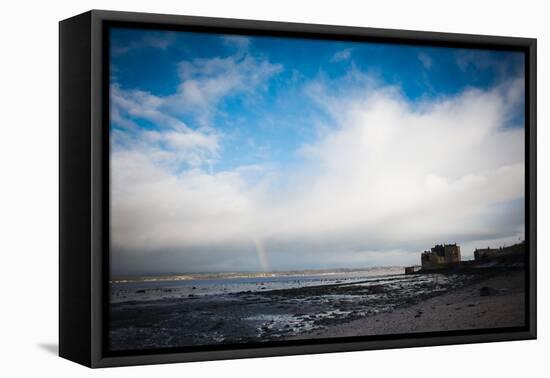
(314, 307)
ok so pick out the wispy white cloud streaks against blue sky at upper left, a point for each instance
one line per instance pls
(204, 83)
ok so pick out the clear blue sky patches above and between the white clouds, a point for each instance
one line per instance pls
(248, 120)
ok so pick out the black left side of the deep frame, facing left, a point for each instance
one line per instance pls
(74, 191)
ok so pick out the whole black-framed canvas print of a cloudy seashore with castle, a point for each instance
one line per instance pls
(233, 188)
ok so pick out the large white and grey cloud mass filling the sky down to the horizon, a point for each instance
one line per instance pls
(384, 179)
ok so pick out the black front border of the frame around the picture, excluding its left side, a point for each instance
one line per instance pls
(97, 19)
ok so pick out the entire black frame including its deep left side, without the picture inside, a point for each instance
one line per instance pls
(84, 186)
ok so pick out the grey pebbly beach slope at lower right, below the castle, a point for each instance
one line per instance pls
(495, 302)
